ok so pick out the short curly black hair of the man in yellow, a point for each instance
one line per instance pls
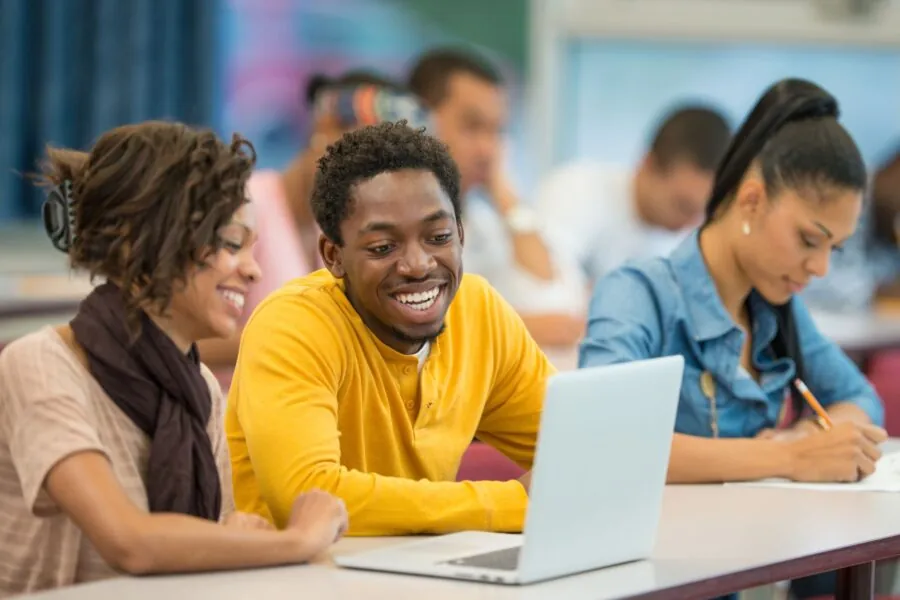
(369, 151)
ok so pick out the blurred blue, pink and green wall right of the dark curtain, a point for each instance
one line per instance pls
(269, 48)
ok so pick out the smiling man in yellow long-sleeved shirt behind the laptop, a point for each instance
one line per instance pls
(369, 379)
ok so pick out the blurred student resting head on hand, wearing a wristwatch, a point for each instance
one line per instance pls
(504, 241)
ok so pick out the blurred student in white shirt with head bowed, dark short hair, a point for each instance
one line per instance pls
(603, 215)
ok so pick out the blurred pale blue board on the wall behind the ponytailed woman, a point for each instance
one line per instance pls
(616, 90)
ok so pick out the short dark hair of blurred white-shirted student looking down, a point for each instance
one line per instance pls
(698, 135)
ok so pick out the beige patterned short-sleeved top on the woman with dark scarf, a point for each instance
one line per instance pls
(50, 408)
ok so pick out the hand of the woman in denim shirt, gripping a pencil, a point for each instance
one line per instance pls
(845, 453)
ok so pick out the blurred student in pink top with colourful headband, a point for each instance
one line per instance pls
(288, 247)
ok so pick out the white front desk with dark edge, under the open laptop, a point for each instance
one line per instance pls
(712, 540)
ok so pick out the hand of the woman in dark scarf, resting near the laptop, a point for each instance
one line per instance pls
(319, 519)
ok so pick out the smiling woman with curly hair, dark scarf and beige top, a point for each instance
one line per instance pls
(112, 453)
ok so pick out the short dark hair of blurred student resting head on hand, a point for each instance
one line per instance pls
(431, 73)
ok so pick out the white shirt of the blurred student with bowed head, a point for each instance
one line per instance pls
(590, 215)
